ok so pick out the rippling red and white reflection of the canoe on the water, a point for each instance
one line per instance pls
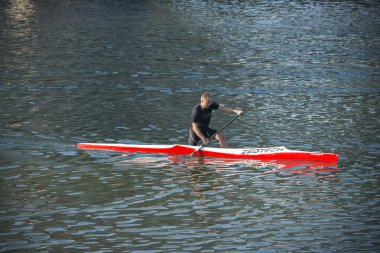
(256, 168)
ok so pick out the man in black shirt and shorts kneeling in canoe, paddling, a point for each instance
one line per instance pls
(200, 121)
